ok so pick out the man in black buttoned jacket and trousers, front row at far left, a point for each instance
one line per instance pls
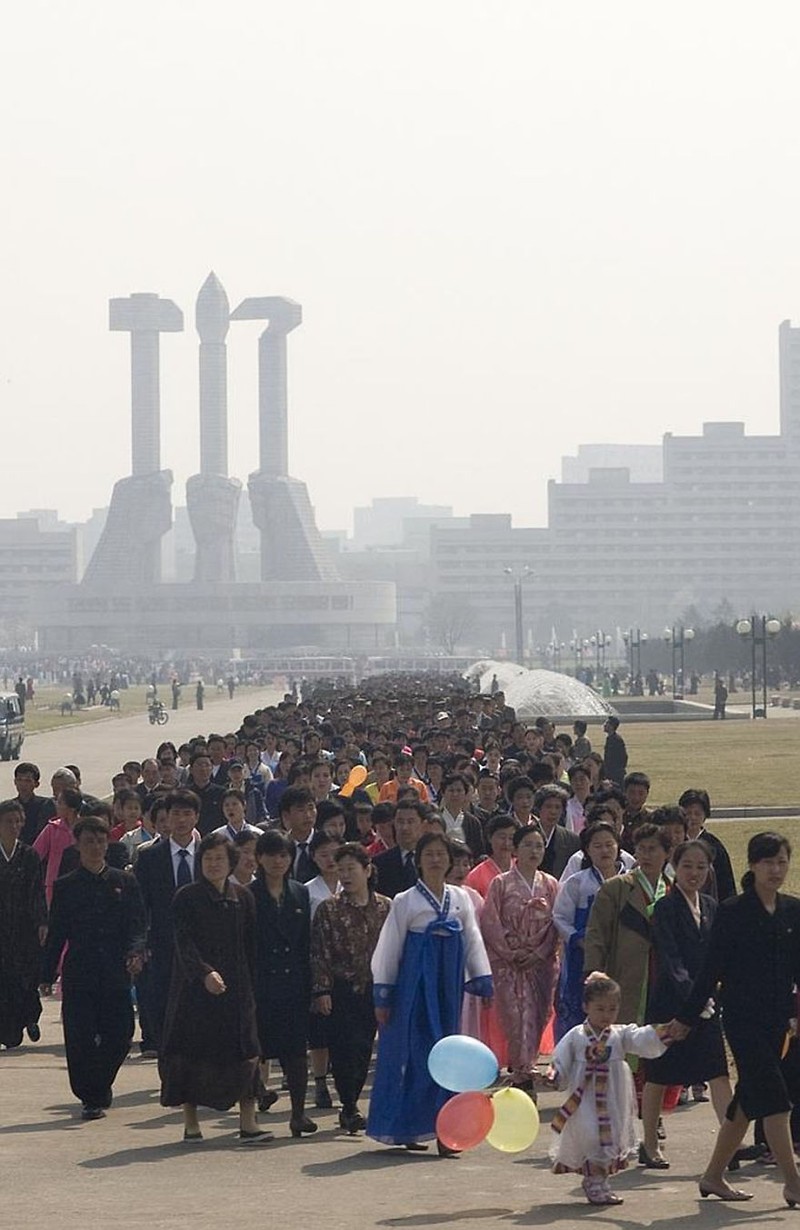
(98, 912)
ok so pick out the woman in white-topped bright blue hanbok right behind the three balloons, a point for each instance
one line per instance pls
(429, 954)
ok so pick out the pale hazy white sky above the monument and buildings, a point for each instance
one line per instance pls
(514, 227)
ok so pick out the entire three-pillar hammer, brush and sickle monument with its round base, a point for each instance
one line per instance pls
(300, 602)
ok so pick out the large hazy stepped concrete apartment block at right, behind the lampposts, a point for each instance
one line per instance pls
(724, 525)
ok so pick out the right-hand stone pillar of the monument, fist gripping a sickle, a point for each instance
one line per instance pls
(291, 544)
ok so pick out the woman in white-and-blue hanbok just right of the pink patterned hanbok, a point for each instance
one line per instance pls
(570, 915)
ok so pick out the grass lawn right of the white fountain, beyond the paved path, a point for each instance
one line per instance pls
(742, 764)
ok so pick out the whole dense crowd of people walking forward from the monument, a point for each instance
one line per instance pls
(402, 864)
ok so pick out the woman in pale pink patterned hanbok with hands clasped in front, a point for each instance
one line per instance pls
(522, 945)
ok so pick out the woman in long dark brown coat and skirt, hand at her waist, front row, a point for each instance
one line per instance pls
(211, 1044)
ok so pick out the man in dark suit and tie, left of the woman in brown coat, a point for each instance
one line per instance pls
(162, 869)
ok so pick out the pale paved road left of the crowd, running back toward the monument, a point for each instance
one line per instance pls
(100, 748)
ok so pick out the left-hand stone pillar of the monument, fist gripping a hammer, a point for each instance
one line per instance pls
(129, 554)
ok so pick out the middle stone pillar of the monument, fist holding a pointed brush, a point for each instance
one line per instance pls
(212, 499)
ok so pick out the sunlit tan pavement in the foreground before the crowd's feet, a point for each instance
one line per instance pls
(132, 1173)
